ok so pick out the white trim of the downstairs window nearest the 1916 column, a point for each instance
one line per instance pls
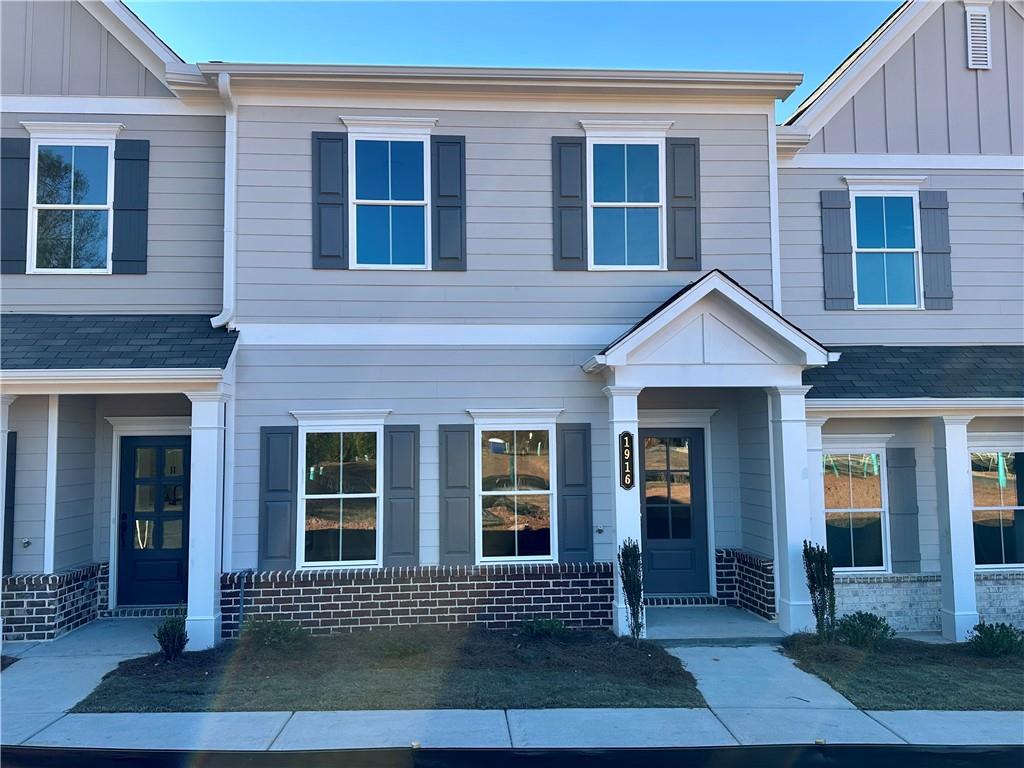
(495, 420)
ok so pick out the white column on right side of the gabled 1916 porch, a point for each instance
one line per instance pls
(793, 518)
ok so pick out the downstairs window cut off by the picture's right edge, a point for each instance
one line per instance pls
(999, 507)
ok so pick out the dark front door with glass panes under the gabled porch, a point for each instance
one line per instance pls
(674, 511)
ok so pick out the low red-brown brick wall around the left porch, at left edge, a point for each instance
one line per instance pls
(44, 607)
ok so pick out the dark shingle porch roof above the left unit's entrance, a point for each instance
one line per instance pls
(90, 342)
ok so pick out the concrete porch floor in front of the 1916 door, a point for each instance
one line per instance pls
(721, 624)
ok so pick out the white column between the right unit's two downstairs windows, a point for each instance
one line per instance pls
(953, 481)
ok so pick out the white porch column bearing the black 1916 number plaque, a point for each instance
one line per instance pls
(623, 418)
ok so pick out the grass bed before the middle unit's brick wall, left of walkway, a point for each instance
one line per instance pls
(414, 668)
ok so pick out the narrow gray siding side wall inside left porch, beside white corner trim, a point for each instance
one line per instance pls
(76, 460)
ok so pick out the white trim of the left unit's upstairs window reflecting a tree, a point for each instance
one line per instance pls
(76, 135)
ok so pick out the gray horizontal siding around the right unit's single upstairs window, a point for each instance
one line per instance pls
(987, 234)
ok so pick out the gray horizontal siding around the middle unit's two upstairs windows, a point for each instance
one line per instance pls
(509, 225)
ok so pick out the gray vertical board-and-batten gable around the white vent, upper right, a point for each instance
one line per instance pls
(926, 101)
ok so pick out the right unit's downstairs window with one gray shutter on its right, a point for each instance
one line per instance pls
(857, 508)
